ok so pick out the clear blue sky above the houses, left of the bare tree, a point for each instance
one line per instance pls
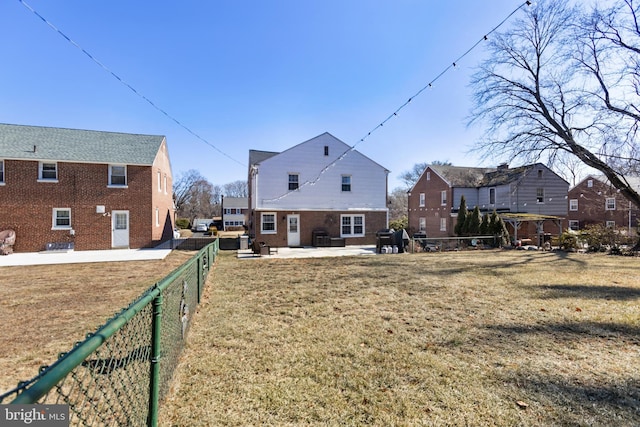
(261, 74)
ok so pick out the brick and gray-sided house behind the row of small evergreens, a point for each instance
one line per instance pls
(534, 191)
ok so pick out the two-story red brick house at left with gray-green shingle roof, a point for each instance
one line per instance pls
(84, 189)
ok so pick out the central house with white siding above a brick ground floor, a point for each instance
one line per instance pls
(321, 185)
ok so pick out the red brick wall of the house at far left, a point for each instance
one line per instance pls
(26, 205)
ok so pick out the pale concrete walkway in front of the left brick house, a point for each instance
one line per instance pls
(70, 257)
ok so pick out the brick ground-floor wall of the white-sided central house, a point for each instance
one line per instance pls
(327, 220)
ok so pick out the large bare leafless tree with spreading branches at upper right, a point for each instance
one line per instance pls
(544, 91)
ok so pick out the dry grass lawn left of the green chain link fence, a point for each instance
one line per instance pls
(45, 309)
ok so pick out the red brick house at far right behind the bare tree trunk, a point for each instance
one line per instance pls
(595, 201)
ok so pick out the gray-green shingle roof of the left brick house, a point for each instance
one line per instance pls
(75, 145)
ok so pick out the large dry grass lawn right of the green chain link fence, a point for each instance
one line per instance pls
(500, 338)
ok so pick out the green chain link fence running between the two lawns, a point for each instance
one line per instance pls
(119, 373)
